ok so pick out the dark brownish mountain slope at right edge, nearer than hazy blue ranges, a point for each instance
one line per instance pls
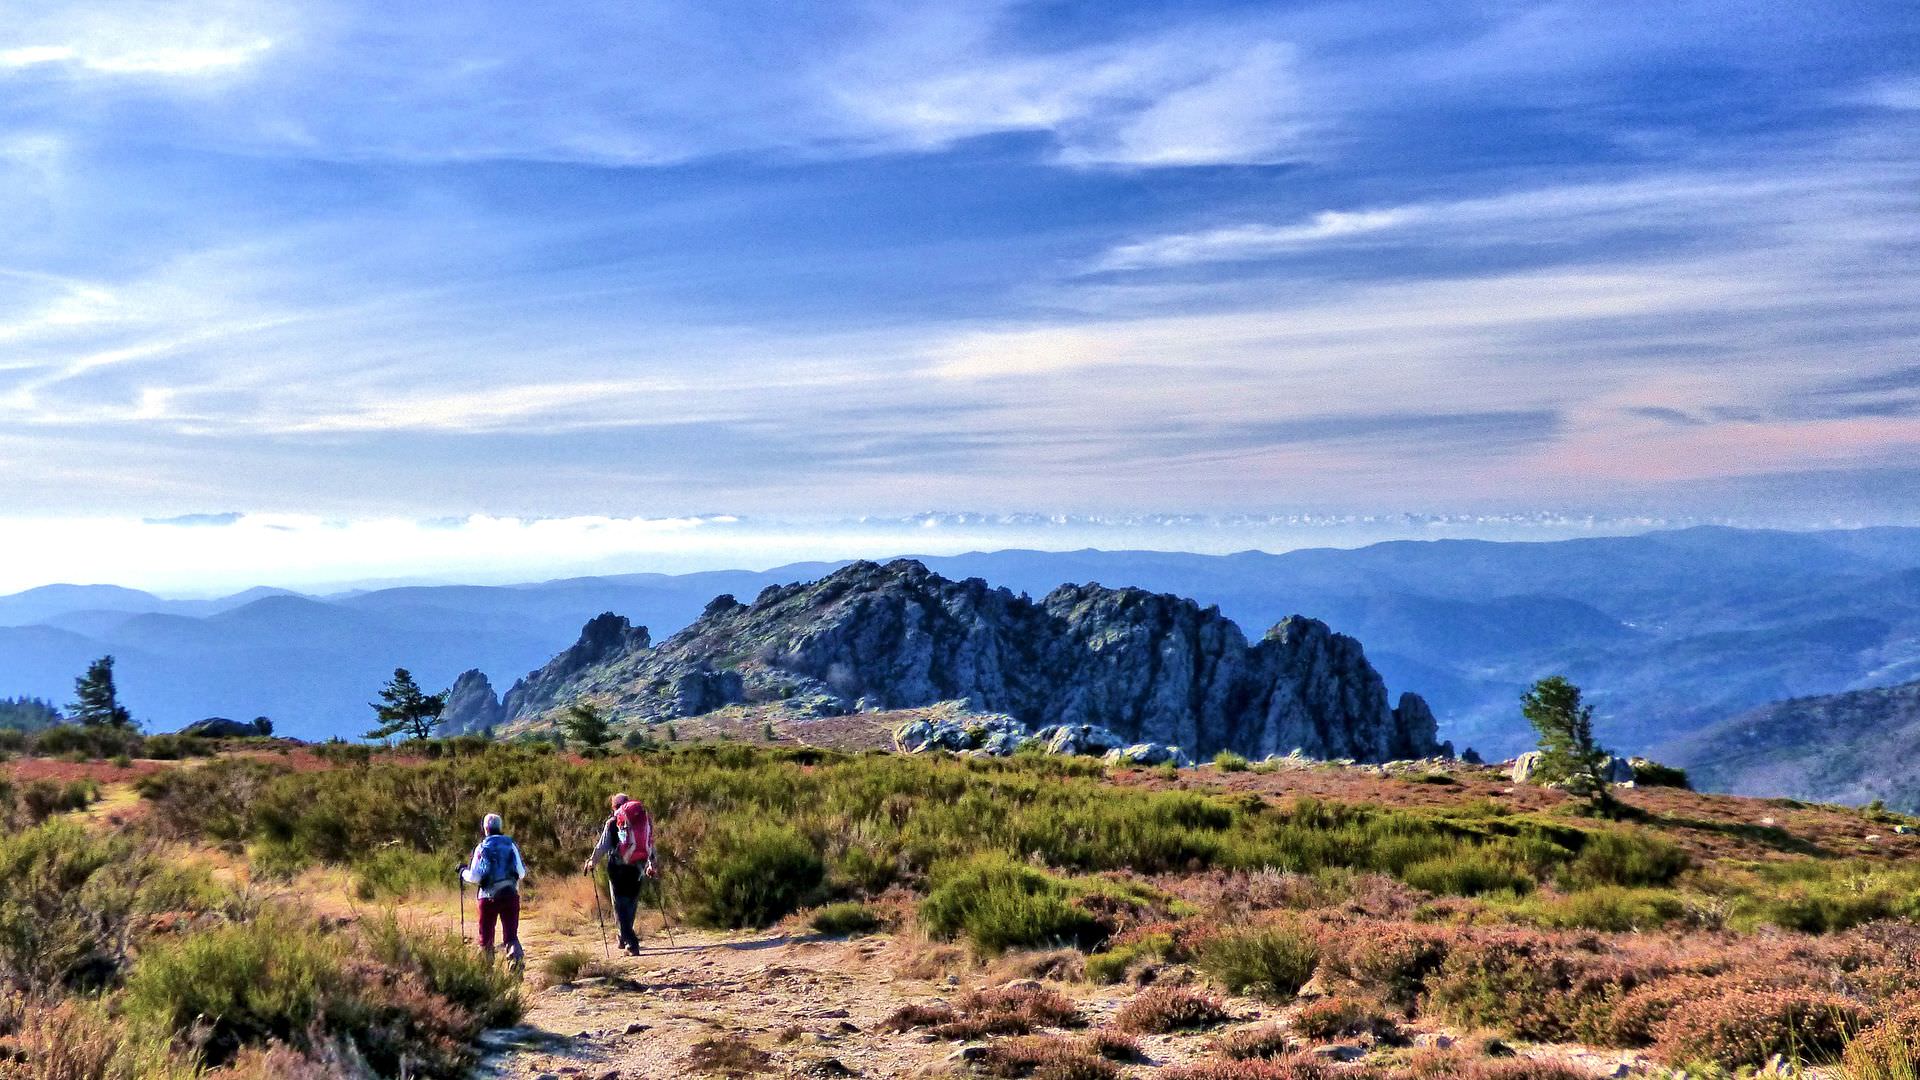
(1840, 749)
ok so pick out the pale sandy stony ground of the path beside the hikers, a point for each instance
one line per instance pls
(796, 1006)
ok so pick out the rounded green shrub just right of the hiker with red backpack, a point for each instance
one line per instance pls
(752, 875)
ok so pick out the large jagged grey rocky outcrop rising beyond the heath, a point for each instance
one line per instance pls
(1145, 668)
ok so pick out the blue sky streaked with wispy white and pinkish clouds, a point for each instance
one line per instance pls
(658, 258)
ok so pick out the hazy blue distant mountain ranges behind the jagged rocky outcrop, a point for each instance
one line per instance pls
(1671, 633)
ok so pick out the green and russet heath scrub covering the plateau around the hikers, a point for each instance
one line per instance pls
(1668, 929)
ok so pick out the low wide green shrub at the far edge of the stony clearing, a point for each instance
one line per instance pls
(1001, 904)
